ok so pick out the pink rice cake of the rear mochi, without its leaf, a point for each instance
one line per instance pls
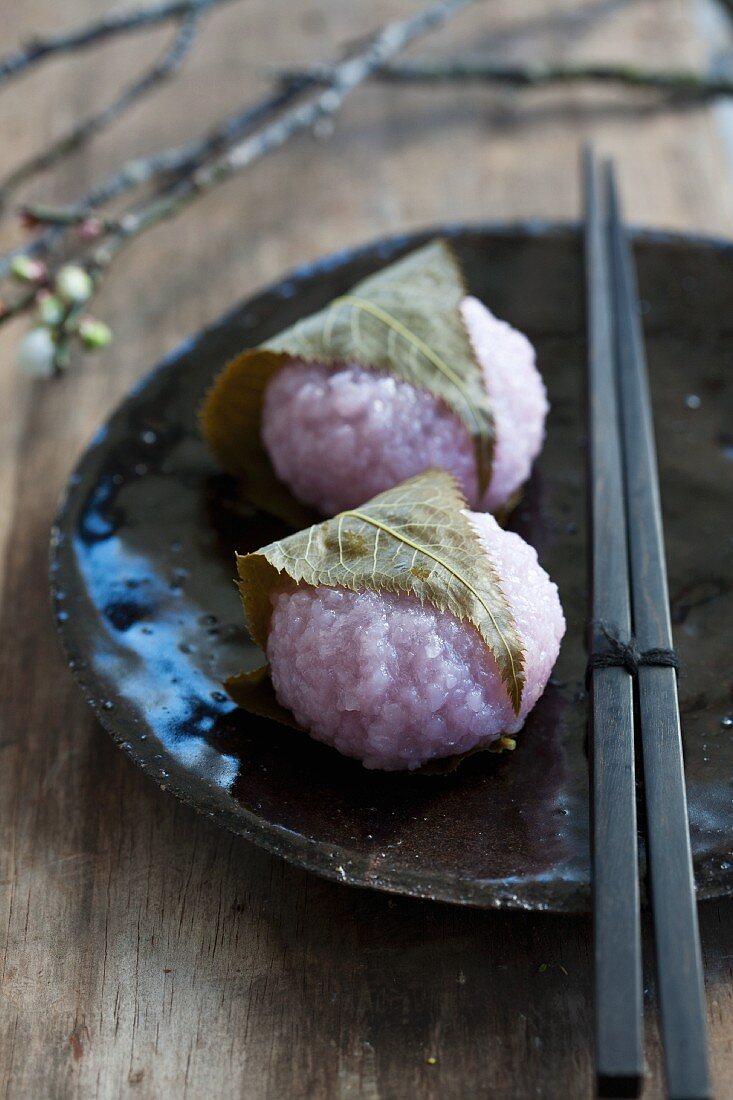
(338, 436)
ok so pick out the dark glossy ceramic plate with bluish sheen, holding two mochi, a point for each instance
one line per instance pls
(143, 582)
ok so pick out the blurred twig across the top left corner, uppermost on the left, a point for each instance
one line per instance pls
(125, 23)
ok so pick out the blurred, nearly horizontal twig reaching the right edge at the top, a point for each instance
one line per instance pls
(680, 83)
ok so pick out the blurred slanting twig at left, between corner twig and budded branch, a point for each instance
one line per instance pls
(163, 70)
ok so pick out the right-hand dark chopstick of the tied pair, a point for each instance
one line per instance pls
(677, 943)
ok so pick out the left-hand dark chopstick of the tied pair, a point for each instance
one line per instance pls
(617, 923)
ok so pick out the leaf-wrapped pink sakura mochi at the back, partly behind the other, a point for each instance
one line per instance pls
(404, 373)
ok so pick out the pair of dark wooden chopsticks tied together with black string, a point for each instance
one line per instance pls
(633, 689)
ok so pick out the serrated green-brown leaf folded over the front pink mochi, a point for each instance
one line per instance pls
(413, 540)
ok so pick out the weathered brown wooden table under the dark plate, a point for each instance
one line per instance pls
(145, 953)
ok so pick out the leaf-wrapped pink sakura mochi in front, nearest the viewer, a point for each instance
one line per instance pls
(443, 646)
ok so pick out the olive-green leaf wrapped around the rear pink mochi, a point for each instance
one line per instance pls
(403, 321)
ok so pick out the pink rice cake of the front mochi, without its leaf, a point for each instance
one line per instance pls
(397, 684)
